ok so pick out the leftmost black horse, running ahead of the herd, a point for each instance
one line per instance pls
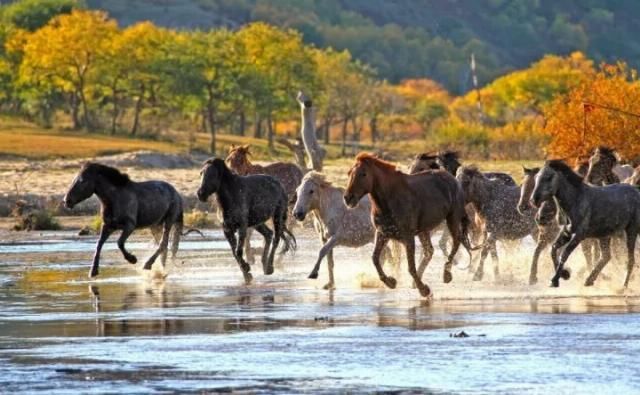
(129, 205)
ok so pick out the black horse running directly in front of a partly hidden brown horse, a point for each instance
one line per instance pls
(247, 201)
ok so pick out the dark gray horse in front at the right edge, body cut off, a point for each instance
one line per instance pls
(591, 211)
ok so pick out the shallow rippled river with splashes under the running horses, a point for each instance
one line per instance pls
(201, 330)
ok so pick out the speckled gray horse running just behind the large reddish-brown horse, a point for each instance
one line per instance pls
(497, 204)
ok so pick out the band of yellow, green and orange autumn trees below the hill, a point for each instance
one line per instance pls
(64, 65)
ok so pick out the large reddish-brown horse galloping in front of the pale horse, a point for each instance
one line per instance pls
(404, 206)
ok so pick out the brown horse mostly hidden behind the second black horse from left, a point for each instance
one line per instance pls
(288, 174)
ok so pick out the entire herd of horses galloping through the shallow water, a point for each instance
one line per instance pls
(590, 205)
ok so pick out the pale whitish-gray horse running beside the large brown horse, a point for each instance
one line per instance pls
(335, 223)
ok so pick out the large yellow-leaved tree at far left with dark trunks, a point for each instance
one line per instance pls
(65, 53)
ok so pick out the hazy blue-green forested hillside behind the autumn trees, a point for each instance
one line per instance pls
(422, 38)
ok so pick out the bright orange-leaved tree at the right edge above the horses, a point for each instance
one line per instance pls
(598, 111)
